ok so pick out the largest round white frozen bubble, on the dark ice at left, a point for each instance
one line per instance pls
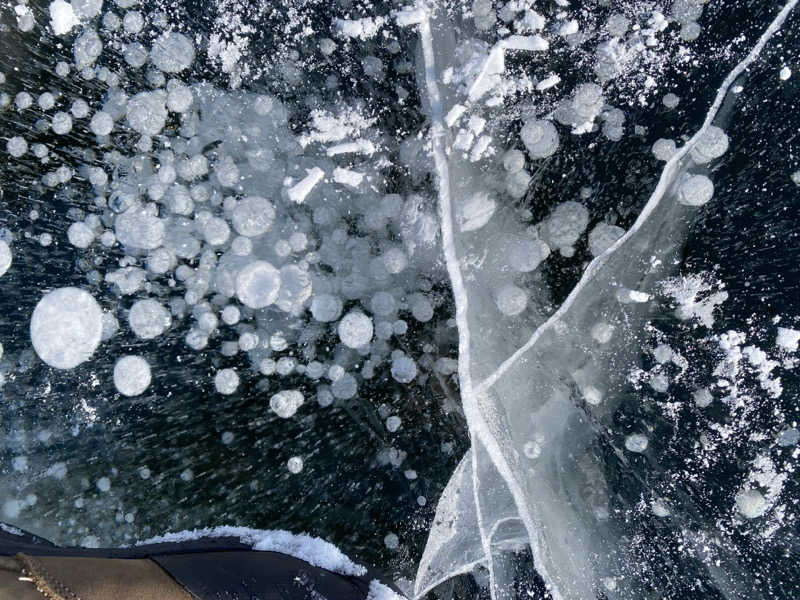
(66, 327)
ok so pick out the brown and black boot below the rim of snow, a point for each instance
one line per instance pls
(31, 568)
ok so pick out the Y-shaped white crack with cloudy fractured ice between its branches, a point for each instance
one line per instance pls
(553, 384)
